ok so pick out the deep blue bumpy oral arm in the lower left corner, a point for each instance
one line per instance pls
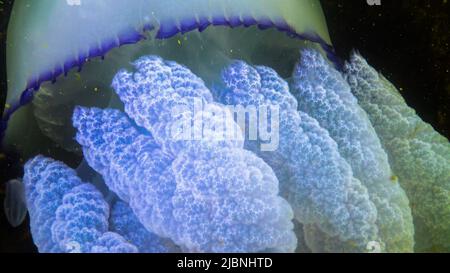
(66, 214)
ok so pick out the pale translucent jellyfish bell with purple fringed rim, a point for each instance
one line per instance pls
(62, 53)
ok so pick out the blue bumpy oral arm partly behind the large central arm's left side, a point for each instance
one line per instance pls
(115, 148)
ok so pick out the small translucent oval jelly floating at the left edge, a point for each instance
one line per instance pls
(14, 204)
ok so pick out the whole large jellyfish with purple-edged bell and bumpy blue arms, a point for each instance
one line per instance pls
(94, 84)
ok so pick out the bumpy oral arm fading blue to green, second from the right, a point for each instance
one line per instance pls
(323, 93)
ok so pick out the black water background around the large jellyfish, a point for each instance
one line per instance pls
(407, 40)
